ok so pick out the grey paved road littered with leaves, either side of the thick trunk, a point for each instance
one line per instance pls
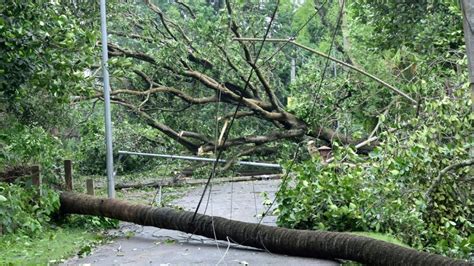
(153, 246)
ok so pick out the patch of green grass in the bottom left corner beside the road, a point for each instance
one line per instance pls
(50, 247)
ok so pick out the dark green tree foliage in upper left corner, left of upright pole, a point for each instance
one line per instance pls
(44, 52)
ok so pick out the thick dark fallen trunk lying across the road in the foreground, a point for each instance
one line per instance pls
(317, 244)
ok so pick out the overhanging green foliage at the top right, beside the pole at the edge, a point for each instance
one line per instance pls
(423, 26)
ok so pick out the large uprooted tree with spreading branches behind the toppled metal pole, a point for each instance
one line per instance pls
(186, 64)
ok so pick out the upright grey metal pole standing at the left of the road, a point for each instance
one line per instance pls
(108, 120)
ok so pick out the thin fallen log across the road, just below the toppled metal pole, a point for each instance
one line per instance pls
(191, 181)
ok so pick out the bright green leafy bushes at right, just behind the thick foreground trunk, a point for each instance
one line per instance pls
(386, 192)
